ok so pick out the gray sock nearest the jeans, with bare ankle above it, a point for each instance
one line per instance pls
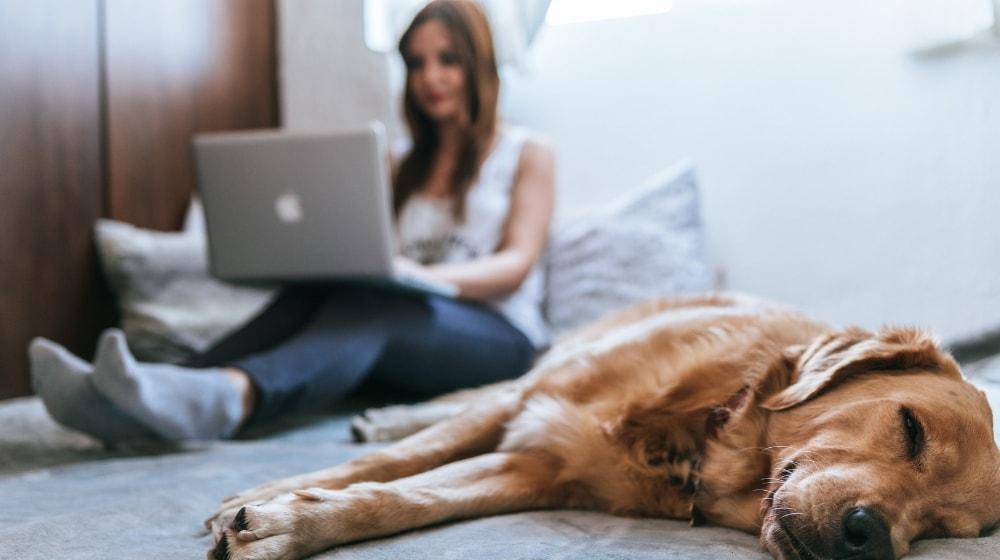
(178, 403)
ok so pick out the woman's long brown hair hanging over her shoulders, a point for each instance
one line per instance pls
(473, 45)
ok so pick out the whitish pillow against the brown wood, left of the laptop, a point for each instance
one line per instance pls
(170, 306)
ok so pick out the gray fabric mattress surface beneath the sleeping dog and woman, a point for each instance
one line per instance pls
(63, 496)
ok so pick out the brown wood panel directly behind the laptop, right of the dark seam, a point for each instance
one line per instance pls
(173, 68)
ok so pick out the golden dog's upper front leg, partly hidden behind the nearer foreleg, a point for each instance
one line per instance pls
(478, 429)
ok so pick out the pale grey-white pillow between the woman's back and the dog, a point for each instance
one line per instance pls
(647, 243)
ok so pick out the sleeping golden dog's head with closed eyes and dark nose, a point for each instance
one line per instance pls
(878, 441)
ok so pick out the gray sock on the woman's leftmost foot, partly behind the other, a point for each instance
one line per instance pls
(63, 381)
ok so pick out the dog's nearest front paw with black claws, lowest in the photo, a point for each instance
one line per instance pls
(284, 528)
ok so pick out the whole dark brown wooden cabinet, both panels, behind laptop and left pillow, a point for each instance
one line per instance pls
(98, 101)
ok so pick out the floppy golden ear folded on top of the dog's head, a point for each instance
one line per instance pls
(834, 357)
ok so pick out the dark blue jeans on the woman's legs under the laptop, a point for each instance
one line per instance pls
(312, 346)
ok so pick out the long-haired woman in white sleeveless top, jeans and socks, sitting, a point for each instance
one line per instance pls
(473, 201)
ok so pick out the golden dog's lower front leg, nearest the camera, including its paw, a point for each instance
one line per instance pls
(307, 521)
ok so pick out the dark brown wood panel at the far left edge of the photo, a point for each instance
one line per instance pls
(50, 180)
